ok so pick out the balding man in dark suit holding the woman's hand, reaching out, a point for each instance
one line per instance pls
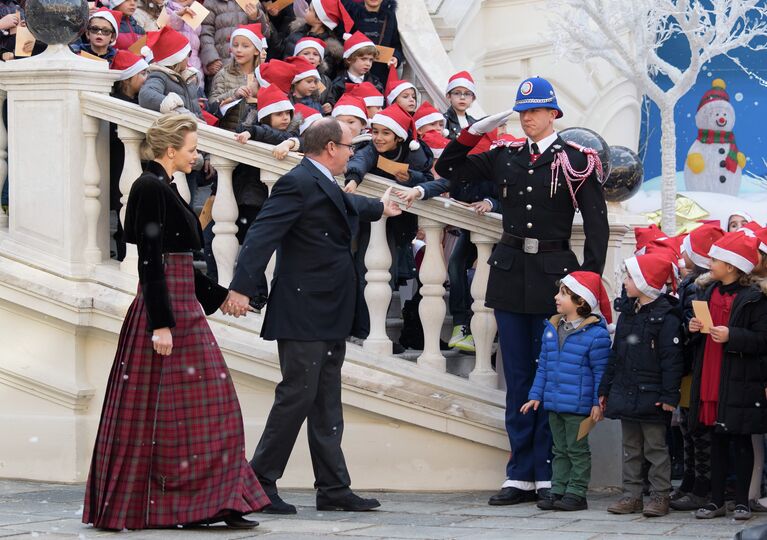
(310, 222)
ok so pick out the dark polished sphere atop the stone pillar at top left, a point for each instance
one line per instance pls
(56, 21)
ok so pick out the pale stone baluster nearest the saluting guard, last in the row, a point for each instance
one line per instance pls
(483, 321)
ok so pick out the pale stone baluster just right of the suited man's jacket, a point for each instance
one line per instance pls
(378, 289)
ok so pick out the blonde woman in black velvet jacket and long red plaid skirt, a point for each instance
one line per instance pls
(170, 448)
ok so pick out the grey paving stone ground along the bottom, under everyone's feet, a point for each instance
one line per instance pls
(53, 511)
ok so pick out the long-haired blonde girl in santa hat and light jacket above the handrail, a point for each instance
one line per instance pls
(230, 84)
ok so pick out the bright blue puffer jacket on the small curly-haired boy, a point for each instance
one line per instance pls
(567, 378)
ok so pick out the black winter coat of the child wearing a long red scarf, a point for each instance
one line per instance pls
(742, 401)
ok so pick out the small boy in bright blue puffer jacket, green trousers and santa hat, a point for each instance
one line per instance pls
(575, 351)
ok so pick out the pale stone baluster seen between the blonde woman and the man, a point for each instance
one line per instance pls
(225, 245)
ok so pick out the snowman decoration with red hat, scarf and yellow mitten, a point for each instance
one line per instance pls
(713, 162)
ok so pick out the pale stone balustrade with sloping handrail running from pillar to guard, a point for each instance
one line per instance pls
(225, 153)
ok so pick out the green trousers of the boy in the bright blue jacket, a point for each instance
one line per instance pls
(571, 468)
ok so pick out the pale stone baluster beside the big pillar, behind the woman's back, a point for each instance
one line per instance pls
(92, 190)
